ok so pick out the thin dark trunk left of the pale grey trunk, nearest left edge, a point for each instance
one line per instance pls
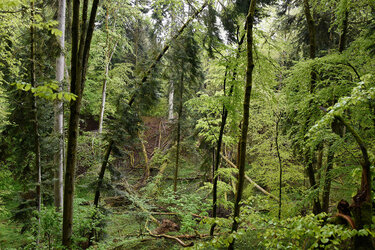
(38, 166)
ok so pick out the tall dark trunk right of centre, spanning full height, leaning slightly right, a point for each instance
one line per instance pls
(246, 114)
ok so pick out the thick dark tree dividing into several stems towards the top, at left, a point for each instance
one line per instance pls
(81, 42)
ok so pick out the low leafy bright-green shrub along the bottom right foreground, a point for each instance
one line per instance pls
(308, 232)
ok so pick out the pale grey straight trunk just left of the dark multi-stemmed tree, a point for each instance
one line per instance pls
(59, 111)
